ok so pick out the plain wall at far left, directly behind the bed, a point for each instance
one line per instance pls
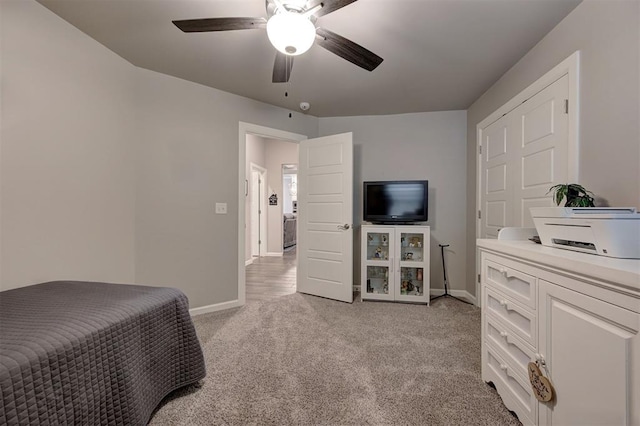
(67, 164)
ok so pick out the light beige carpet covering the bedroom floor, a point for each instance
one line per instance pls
(305, 360)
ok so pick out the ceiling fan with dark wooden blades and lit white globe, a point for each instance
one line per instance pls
(291, 28)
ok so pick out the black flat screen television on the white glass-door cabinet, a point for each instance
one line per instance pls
(396, 201)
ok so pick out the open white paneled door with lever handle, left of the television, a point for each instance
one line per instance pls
(325, 212)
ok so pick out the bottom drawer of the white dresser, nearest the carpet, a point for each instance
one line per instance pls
(515, 392)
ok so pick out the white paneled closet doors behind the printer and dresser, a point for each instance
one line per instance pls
(523, 154)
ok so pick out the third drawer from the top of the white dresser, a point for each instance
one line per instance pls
(511, 348)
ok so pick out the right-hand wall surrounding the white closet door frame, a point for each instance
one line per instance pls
(607, 33)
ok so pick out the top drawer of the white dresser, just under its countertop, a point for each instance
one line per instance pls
(516, 284)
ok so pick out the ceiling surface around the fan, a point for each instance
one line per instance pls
(438, 54)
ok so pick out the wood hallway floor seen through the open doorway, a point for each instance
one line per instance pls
(271, 277)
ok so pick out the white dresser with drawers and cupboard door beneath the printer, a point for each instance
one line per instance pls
(578, 315)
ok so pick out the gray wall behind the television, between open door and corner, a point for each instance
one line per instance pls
(428, 146)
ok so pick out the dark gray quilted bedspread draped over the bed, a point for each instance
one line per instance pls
(93, 353)
